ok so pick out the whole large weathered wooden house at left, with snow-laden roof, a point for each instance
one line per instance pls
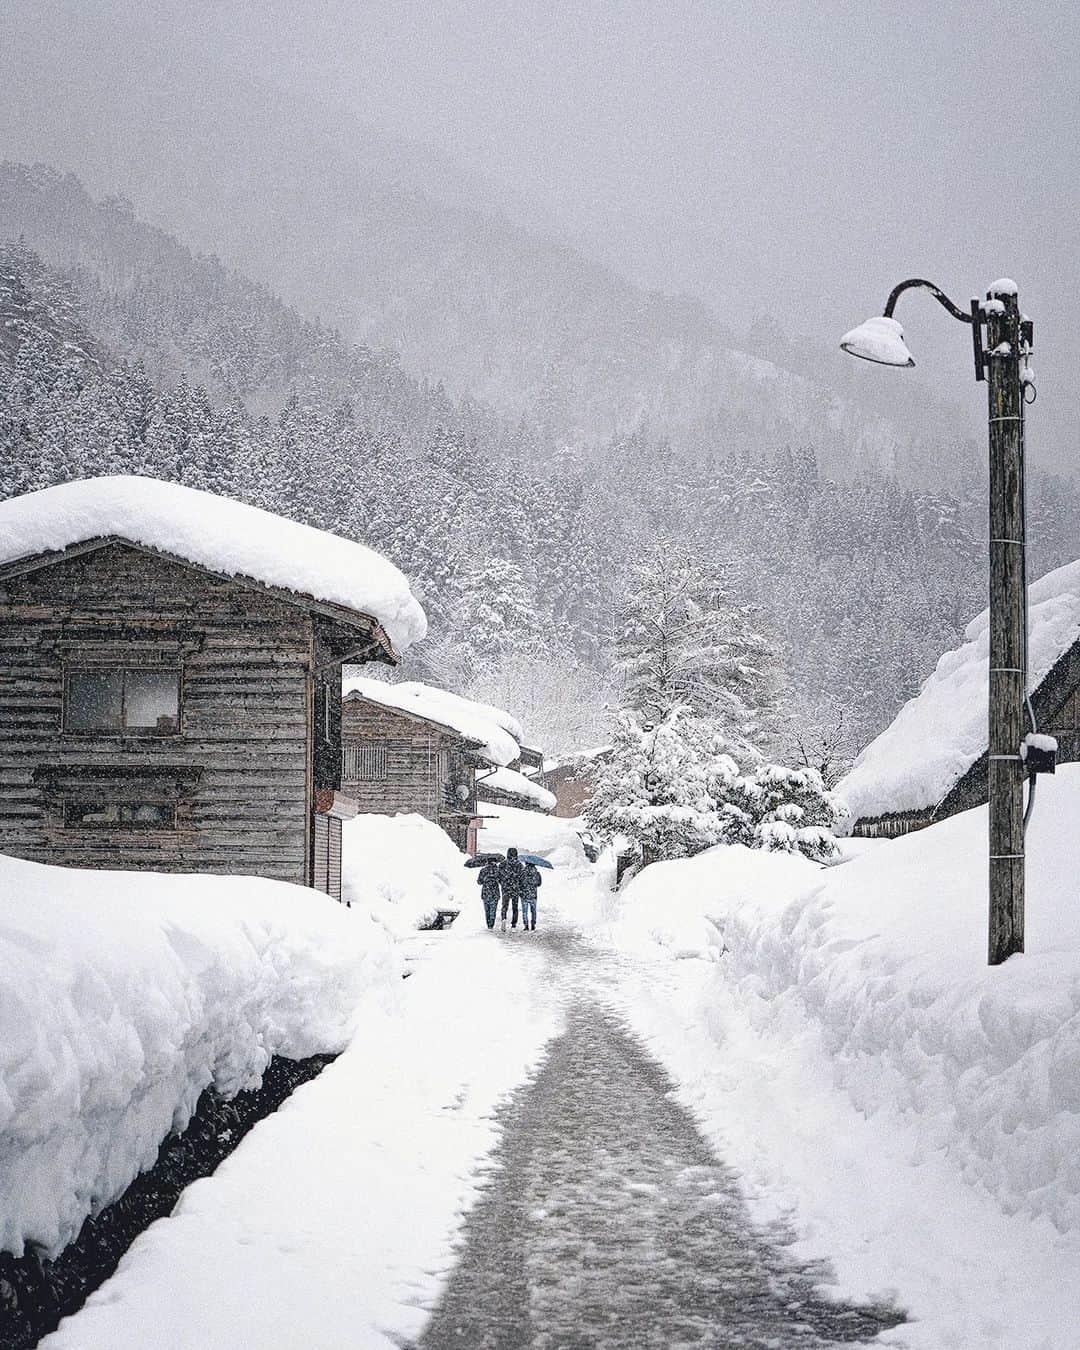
(169, 680)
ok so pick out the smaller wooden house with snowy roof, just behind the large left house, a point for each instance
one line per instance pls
(416, 749)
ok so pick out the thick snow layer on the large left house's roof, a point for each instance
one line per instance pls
(217, 533)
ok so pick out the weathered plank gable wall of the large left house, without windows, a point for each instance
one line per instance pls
(238, 770)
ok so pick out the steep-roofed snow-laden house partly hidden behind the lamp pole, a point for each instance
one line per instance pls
(932, 762)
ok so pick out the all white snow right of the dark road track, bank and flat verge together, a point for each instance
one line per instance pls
(844, 1043)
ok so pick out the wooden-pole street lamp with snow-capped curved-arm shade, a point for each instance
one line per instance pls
(1004, 362)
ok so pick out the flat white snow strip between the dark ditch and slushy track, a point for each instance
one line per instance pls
(334, 1224)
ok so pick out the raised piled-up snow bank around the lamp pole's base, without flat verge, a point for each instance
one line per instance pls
(886, 956)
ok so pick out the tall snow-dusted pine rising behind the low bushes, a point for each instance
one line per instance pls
(684, 642)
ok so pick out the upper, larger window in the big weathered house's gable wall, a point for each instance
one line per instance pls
(144, 701)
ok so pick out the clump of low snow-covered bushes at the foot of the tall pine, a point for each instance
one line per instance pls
(677, 790)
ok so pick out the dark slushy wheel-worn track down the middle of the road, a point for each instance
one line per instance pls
(607, 1221)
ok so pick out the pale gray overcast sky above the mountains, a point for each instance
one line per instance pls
(793, 159)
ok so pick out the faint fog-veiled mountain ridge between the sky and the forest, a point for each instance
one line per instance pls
(493, 313)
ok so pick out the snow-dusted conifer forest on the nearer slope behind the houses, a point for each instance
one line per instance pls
(146, 358)
